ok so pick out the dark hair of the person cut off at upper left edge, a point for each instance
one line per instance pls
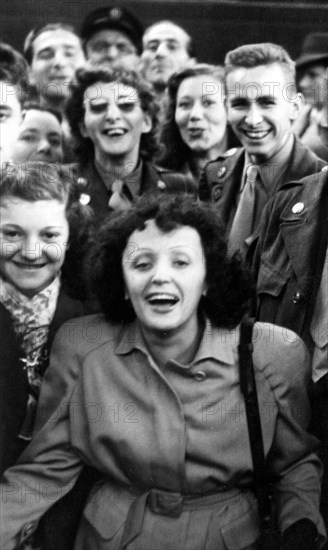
(14, 69)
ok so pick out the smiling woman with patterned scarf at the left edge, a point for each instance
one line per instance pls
(43, 231)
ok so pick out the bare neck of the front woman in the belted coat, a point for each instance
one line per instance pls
(178, 346)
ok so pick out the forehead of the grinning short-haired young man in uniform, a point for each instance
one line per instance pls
(262, 80)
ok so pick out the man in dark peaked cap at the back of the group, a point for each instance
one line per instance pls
(110, 35)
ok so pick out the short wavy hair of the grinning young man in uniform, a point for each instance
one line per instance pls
(266, 53)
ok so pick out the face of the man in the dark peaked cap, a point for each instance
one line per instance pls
(109, 45)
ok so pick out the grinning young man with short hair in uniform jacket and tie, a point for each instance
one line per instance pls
(262, 103)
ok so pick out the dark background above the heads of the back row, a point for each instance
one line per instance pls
(216, 25)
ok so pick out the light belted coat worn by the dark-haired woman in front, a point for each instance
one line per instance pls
(162, 434)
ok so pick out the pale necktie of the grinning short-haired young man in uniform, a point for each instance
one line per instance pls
(242, 225)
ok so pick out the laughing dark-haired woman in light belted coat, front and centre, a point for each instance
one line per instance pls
(149, 394)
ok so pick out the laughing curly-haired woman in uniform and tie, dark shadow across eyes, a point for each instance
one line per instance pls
(113, 119)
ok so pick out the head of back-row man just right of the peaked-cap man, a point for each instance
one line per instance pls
(164, 52)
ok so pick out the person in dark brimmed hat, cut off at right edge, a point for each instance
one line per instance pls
(312, 68)
